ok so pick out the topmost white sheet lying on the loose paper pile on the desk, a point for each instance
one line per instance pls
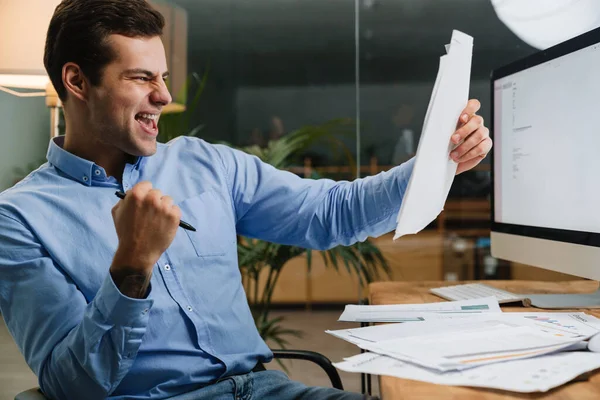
(462, 350)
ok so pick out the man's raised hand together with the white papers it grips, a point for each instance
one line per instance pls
(434, 169)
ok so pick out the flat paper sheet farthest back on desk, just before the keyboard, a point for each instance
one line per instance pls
(416, 312)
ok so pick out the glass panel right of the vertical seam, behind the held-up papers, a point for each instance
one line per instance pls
(399, 47)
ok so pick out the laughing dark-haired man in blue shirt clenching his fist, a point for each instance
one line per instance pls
(140, 308)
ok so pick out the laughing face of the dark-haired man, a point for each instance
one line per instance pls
(126, 105)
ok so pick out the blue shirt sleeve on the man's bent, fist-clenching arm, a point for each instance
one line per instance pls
(77, 350)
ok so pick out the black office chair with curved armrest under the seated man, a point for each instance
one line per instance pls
(317, 358)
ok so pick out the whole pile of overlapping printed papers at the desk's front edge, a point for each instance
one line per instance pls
(468, 350)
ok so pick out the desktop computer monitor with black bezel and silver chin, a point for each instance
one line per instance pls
(546, 163)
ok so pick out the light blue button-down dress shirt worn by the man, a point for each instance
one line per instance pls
(85, 340)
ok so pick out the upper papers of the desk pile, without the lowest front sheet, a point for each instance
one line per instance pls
(467, 342)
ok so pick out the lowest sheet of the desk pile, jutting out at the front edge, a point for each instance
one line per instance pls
(538, 374)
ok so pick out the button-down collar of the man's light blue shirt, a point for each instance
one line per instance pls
(82, 170)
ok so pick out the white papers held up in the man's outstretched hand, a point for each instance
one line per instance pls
(434, 170)
